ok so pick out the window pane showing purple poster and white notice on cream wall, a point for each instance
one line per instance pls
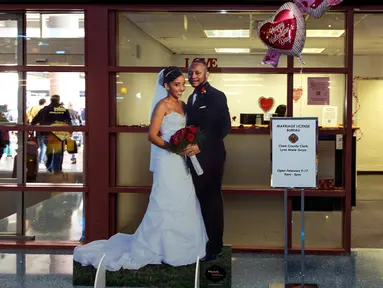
(320, 95)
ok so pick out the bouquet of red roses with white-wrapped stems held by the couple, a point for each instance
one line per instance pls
(181, 139)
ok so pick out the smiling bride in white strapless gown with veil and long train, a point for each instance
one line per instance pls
(172, 230)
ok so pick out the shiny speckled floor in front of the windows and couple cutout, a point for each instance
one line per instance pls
(360, 270)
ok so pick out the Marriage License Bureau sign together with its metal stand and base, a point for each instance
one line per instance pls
(294, 139)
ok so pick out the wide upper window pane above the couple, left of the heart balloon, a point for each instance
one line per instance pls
(222, 39)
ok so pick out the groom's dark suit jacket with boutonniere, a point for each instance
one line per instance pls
(211, 115)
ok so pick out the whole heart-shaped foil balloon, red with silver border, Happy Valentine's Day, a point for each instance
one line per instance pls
(285, 32)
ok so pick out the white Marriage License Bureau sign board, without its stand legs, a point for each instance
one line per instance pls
(294, 152)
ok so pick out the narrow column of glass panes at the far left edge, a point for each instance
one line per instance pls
(12, 107)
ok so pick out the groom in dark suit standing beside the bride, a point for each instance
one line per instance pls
(207, 109)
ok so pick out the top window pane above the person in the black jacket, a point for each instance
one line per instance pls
(55, 39)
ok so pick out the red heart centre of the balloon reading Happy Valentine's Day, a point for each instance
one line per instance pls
(280, 34)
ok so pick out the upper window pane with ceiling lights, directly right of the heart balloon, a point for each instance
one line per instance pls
(325, 41)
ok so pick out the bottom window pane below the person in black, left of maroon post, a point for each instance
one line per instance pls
(54, 215)
